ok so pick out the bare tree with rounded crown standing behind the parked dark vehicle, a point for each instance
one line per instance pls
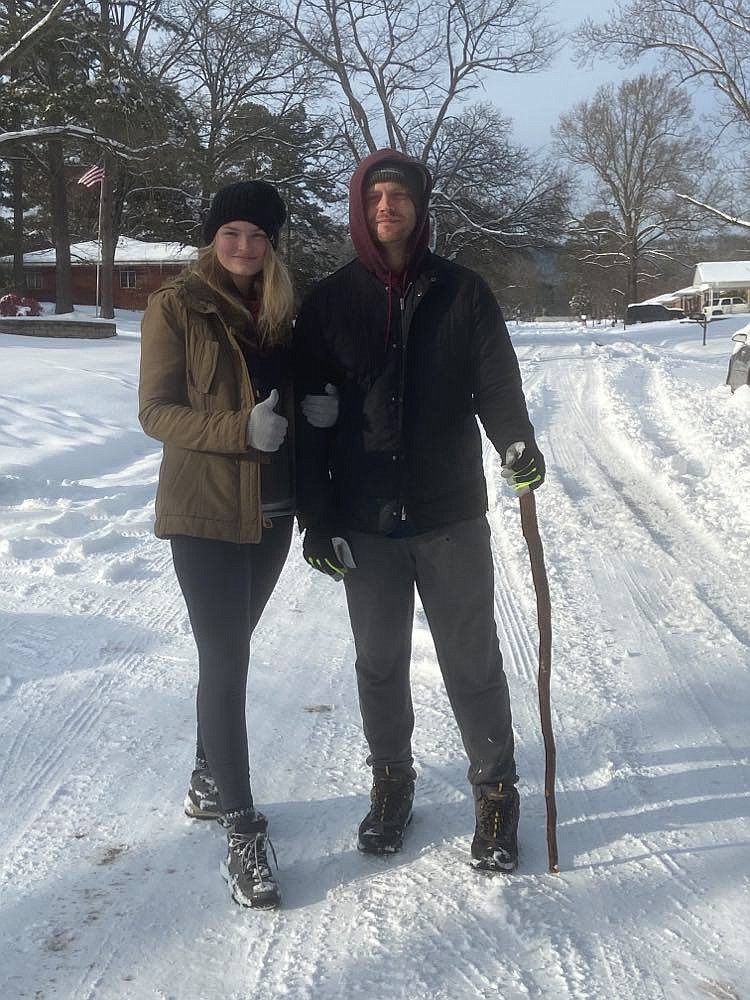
(640, 146)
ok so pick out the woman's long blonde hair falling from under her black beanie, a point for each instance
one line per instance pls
(272, 285)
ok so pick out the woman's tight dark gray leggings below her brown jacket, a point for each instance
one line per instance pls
(226, 587)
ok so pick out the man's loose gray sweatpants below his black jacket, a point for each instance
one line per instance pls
(453, 572)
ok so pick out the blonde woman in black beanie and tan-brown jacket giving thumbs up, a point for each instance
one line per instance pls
(215, 388)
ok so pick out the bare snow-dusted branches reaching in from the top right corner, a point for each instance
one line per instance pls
(701, 41)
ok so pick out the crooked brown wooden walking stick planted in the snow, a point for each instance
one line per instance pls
(530, 527)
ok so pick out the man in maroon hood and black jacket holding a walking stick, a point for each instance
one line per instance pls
(417, 347)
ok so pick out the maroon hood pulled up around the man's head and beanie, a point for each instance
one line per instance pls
(367, 249)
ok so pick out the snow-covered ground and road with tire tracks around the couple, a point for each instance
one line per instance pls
(110, 892)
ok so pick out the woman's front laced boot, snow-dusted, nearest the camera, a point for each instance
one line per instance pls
(246, 868)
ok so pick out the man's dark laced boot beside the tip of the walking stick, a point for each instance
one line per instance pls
(495, 844)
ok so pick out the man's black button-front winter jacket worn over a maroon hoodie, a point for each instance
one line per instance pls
(412, 373)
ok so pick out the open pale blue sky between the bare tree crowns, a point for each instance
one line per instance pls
(535, 101)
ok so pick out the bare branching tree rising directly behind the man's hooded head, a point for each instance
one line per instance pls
(400, 73)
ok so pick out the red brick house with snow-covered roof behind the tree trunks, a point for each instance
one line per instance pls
(140, 268)
